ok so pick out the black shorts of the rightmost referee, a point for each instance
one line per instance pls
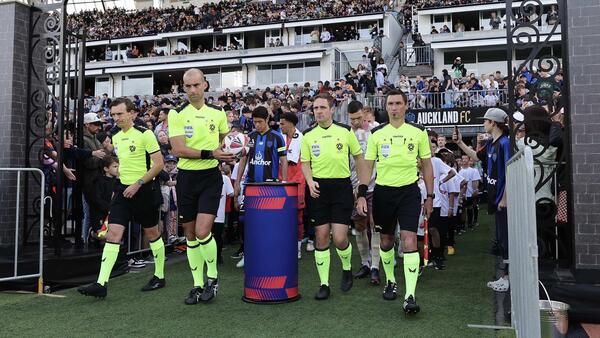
(396, 205)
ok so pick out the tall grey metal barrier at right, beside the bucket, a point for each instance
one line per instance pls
(522, 244)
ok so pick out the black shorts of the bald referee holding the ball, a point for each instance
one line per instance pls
(198, 192)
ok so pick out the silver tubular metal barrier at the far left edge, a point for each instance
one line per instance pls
(17, 209)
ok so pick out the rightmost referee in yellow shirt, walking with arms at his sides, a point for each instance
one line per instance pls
(397, 146)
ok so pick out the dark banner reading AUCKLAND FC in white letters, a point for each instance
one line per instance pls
(447, 117)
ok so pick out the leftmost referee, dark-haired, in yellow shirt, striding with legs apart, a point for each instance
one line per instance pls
(134, 197)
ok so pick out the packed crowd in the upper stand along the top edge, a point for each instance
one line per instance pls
(120, 23)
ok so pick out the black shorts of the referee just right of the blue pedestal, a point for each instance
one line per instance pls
(335, 202)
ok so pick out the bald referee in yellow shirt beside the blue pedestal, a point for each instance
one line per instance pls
(196, 130)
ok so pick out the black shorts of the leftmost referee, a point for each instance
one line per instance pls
(142, 208)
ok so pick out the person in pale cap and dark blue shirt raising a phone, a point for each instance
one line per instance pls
(494, 157)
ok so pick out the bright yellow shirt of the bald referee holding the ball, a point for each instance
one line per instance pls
(201, 128)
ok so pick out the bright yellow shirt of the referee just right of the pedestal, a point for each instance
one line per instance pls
(327, 150)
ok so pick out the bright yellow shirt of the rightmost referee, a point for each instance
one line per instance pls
(396, 151)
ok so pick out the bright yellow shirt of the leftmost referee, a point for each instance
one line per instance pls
(133, 149)
